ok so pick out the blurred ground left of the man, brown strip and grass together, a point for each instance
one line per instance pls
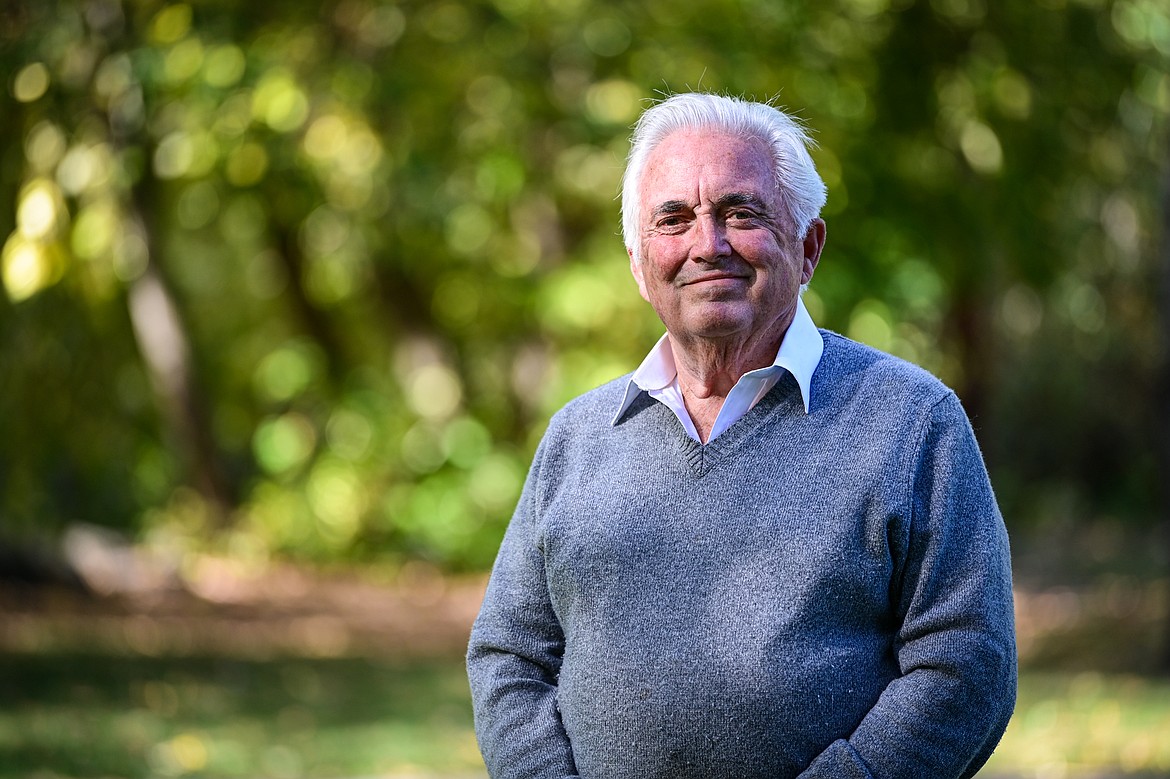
(230, 673)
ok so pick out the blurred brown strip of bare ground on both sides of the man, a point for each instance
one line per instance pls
(1111, 624)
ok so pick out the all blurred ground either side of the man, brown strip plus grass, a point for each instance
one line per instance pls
(280, 673)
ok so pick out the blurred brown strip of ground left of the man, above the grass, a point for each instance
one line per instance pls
(283, 611)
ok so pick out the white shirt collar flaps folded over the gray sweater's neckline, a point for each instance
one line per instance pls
(800, 355)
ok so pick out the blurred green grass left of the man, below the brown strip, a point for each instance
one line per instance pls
(97, 715)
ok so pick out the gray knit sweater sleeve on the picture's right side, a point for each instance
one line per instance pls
(955, 646)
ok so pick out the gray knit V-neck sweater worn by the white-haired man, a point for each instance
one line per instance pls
(823, 595)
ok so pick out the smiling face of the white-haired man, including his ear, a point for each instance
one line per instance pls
(719, 258)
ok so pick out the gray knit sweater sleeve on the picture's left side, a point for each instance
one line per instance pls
(514, 658)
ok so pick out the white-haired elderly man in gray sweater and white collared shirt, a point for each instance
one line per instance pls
(770, 551)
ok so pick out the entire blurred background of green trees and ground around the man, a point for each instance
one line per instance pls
(290, 292)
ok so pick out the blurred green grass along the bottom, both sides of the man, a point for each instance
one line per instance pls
(78, 715)
